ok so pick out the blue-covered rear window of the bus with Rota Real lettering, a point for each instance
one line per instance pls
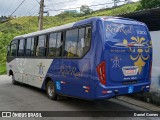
(123, 34)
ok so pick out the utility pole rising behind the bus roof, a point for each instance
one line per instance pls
(40, 22)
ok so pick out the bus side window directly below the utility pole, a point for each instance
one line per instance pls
(41, 47)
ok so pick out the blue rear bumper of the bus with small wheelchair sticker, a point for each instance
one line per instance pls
(104, 92)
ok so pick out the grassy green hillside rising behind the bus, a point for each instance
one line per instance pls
(23, 25)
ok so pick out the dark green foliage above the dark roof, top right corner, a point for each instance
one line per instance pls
(150, 3)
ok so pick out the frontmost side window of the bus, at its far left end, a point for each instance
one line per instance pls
(14, 45)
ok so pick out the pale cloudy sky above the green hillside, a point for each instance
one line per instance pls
(31, 7)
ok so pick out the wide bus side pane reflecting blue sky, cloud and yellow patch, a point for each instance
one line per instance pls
(71, 43)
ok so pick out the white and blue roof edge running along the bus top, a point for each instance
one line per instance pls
(74, 24)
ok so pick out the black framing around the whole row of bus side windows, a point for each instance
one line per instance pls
(63, 31)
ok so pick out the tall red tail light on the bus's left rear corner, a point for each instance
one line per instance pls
(101, 70)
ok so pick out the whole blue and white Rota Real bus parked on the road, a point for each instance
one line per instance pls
(95, 58)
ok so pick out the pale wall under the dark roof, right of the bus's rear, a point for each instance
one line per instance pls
(154, 95)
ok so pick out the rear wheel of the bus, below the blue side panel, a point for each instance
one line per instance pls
(51, 92)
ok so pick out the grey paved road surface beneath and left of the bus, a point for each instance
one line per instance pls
(27, 98)
